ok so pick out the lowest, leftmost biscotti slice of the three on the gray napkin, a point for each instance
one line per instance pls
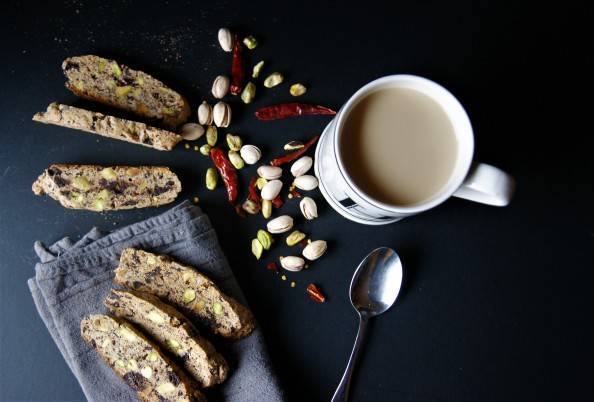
(138, 361)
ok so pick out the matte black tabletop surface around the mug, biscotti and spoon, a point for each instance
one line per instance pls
(497, 301)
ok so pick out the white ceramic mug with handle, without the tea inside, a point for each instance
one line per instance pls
(473, 181)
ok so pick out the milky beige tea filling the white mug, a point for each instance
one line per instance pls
(399, 146)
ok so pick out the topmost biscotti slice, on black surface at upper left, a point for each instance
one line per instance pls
(107, 81)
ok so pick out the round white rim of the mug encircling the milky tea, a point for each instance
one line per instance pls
(464, 130)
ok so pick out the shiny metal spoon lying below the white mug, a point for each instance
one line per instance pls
(374, 288)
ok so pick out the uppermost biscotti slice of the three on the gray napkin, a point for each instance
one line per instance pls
(185, 288)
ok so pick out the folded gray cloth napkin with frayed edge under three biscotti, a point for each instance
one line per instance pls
(72, 279)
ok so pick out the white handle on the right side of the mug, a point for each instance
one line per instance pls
(488, 185)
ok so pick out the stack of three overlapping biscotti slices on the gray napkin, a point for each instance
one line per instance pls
(149, 333)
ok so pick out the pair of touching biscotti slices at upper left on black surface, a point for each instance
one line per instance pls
(114, 84)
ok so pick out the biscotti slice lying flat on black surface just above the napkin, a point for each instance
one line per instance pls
(99, 188)
